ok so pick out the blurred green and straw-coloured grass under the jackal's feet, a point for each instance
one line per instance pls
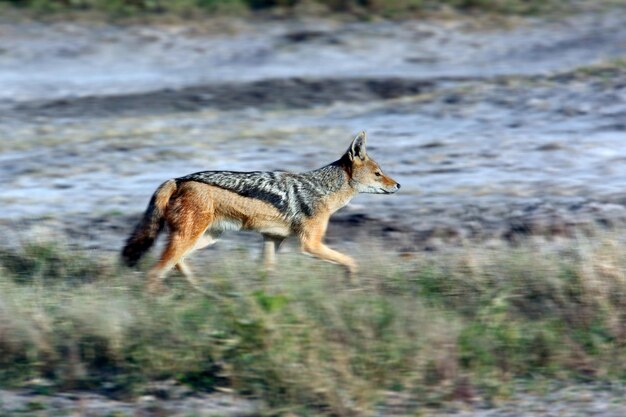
(433, 327)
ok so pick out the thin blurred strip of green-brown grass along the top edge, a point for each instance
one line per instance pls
(389, 8)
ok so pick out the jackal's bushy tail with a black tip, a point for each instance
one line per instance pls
(149, 226)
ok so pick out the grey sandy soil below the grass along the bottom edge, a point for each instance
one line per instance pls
(172, 401)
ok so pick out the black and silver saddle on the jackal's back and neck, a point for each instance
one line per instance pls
(295, 196)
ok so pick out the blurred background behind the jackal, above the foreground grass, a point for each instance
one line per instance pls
(496, 123)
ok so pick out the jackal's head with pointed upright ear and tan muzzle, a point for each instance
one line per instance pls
(365, 174)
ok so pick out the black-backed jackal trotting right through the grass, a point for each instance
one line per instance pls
(197, 208)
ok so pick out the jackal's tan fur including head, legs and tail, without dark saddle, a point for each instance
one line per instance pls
(196, 213)
